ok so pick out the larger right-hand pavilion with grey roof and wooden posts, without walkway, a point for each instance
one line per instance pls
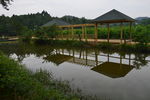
(110, 17)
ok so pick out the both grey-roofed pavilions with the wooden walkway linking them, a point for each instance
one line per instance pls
(108, 18)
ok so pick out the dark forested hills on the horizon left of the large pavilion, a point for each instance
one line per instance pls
(34, 20)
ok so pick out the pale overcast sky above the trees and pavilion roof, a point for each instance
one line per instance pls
(80, 8)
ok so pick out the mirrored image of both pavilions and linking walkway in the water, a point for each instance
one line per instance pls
(94, 60)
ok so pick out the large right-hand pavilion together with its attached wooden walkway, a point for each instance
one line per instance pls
(110, 17)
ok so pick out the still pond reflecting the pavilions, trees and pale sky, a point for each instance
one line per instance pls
(106, 75)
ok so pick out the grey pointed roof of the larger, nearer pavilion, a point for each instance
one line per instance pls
(113, 16)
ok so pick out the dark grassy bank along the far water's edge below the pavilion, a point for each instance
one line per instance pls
(137, 48)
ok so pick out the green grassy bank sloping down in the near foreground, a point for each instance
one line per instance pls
(17, 83)
